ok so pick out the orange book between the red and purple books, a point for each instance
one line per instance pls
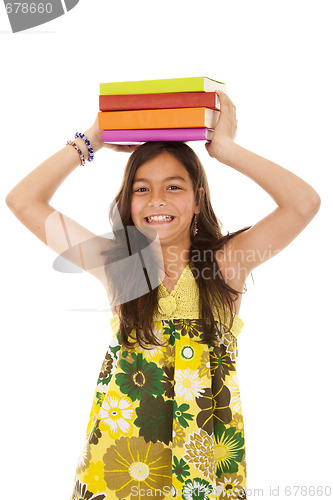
(158, 118)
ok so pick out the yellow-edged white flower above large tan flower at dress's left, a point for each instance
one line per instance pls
(117, 415)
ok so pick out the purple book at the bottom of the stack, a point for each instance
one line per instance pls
(167, 134)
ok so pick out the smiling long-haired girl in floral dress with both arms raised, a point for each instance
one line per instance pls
(164, 421)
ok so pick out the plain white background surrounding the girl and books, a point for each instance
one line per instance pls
(275, 57)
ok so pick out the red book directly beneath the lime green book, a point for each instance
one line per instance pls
(159, 101)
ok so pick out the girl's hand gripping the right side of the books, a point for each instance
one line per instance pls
(225, 129)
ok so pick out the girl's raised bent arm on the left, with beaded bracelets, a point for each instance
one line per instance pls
(29, 202)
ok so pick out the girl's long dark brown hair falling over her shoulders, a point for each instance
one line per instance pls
(138, 313)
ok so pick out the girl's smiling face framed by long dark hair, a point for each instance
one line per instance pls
(155, 192)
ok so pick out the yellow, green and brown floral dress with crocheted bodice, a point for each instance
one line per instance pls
(167, 422)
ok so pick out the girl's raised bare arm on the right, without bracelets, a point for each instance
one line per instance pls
(297, 202)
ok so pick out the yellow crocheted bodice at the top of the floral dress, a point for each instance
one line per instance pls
(182, 302)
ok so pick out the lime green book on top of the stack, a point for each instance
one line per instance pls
(191, 84)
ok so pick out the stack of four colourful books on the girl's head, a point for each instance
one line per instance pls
(175, 109)
